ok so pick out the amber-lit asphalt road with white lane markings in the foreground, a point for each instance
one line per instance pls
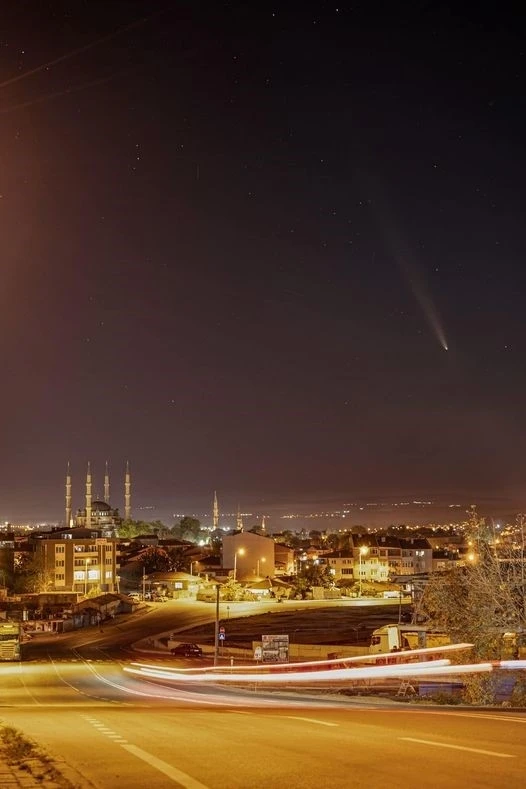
(117, 731)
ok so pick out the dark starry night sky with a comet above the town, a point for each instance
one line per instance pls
(237, 241)
